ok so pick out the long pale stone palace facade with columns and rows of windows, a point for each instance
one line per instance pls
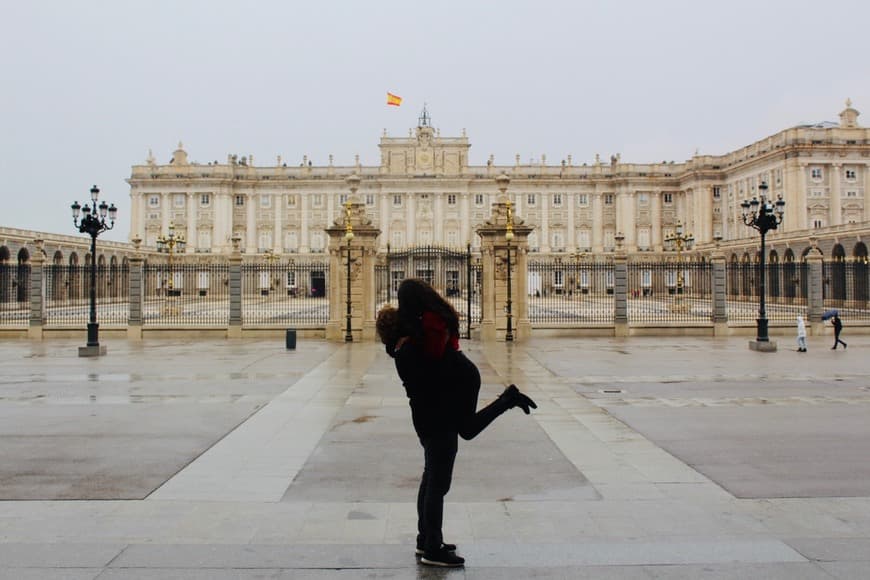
(426, 192)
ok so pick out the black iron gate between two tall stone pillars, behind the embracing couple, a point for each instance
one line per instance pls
(453, 273)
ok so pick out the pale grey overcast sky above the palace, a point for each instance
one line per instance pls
(90, 86)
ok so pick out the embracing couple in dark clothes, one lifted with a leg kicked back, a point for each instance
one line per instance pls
(442, 385)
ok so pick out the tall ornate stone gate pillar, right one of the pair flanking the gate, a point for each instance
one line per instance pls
(504, 236)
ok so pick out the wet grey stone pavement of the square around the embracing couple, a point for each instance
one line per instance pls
(647, 458)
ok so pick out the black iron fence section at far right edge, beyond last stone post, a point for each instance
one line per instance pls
(846, 287)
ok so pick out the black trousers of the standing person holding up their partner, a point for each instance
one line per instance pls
(440, 454)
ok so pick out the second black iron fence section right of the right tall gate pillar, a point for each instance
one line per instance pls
(670, 292)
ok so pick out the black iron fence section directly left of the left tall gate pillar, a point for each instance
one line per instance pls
(293, 293)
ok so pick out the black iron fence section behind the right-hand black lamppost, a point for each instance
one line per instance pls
(787, 287)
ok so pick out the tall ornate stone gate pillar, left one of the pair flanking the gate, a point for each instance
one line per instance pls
(352, 256)
